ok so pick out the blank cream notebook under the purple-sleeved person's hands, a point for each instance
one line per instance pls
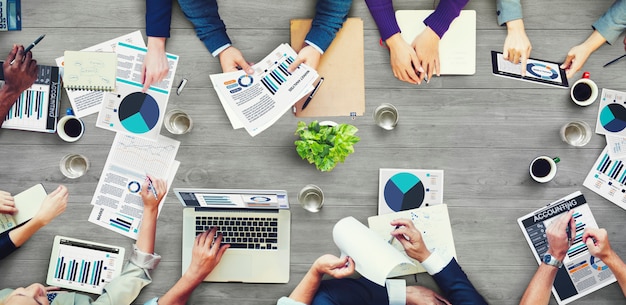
(457, 48)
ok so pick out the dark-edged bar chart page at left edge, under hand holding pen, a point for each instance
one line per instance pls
(37, 108)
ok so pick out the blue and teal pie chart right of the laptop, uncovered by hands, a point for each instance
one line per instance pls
(404, 191)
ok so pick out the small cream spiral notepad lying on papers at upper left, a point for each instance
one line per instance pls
(95, 71)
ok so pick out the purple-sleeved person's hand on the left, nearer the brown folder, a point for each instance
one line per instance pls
(404, 62)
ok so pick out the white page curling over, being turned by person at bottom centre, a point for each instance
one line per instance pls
(373, 256)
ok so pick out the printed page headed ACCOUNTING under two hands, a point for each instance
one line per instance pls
(581, 273)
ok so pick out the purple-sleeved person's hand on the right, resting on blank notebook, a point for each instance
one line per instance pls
(426, 46)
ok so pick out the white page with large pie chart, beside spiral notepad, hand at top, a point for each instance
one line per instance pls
(128, 110)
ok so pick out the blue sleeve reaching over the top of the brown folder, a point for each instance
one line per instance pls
(329, 18)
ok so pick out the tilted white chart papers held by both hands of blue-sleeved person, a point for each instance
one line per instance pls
(257, 101)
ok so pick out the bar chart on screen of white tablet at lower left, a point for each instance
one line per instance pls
(86, 265)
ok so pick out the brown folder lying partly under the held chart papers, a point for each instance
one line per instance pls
(341, 66)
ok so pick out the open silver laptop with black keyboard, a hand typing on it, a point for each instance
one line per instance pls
(256, 224)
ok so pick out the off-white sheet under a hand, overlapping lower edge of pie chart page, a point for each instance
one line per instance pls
(433, 222)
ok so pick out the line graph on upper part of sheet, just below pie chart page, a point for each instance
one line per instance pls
(153, 157)
